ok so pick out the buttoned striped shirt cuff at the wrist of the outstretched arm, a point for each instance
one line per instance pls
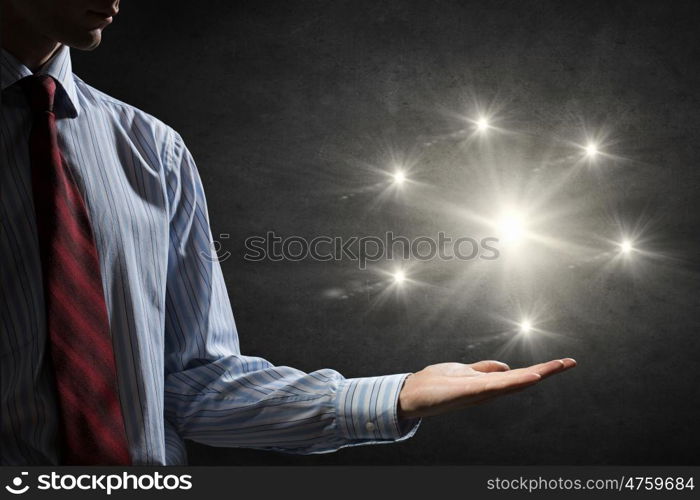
(367, 409)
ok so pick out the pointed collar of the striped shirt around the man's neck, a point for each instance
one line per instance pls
(59, 67)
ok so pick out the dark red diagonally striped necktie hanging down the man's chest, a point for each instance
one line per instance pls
(92, 425)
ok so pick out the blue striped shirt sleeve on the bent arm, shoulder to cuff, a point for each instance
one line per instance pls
(217, 396)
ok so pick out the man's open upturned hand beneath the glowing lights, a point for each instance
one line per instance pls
(450, 386)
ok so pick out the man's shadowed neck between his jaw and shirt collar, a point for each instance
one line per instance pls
(20, 39)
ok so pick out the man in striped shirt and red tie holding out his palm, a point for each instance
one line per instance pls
(118, 340)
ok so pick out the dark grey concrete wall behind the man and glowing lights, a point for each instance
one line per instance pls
(285, 104)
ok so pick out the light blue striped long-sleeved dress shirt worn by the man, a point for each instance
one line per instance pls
(180, 371)
